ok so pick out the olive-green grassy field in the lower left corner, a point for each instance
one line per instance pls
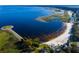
(7, 42)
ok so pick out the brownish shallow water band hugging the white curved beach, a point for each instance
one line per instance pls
(46, 38)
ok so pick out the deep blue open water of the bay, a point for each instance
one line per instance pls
(23, 20)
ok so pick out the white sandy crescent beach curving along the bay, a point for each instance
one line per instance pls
(62, 39)
